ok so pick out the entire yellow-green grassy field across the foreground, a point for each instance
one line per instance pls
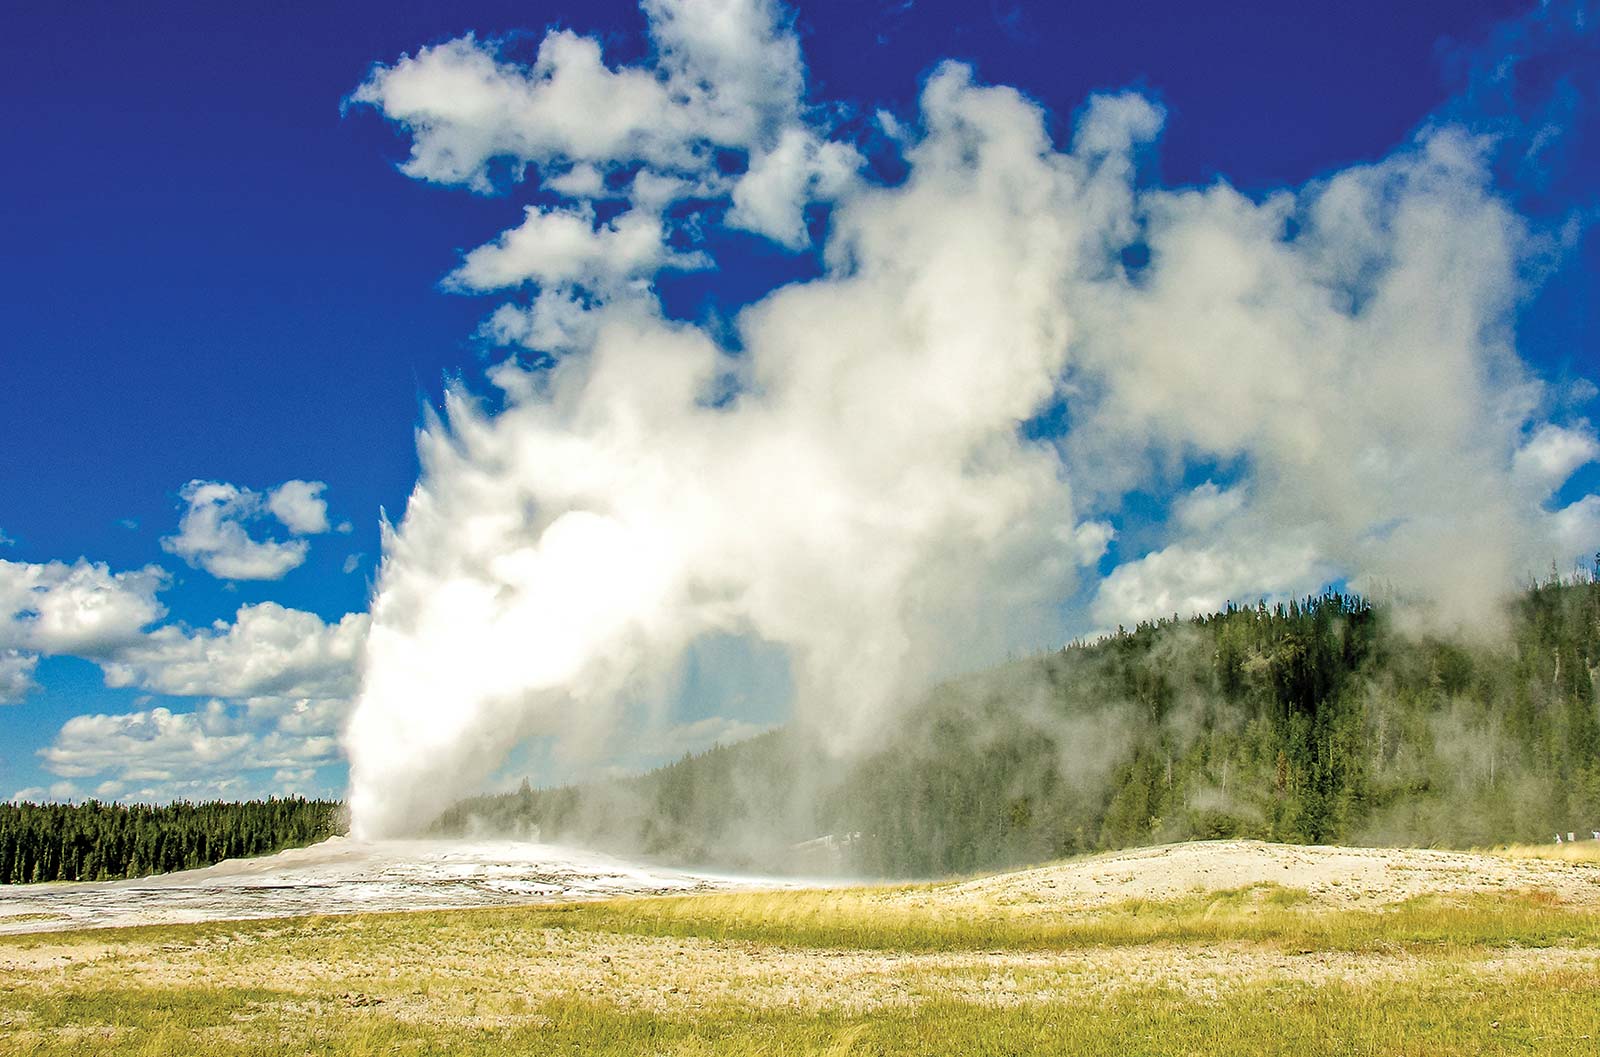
(842, 971)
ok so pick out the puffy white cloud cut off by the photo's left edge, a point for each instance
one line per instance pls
(81, 608)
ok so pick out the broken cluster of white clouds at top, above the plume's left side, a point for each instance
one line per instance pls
(722, 81)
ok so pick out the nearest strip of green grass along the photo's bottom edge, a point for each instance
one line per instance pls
(1538, 1015)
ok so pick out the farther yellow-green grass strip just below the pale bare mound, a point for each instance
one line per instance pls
(874, 920)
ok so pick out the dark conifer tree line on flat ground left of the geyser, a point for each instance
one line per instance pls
(95, 842)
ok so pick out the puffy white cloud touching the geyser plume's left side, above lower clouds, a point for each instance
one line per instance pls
(268, 650)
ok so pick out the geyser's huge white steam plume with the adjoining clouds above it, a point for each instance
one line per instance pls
(847, 474)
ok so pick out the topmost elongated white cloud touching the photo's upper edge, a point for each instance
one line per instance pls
(727, 73)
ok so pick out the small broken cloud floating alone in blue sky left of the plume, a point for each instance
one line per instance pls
(214, 532)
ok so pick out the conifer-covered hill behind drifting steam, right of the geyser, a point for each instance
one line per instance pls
(1310, 722)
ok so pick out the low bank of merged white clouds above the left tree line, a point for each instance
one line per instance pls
(281, 684)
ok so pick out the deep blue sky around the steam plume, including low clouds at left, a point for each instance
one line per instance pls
(218, 276)
